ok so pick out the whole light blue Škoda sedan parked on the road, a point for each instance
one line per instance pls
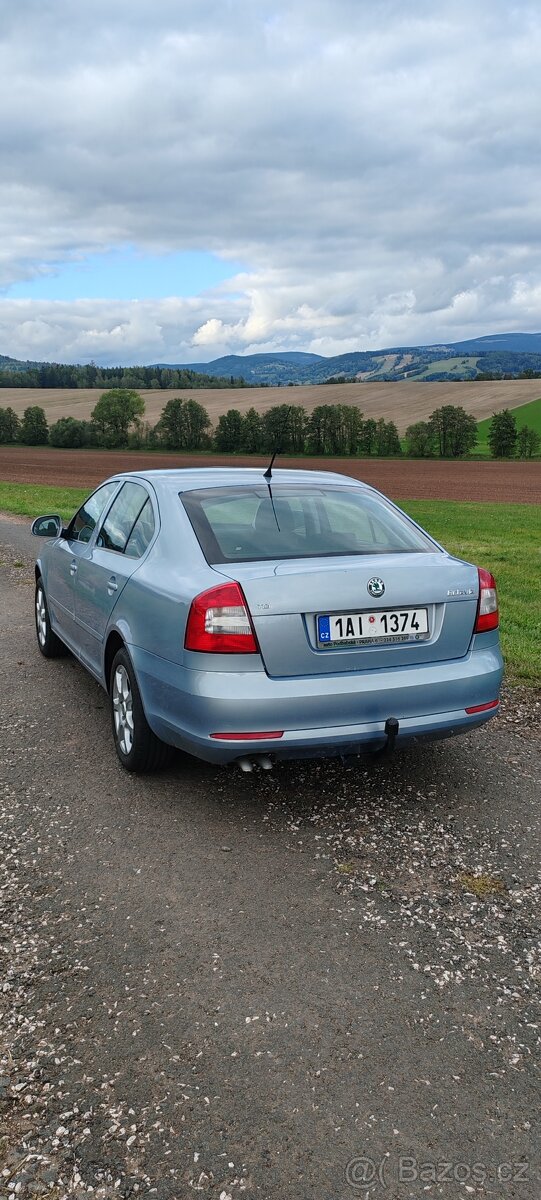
(248, 617)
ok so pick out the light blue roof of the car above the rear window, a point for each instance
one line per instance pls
(188, 479)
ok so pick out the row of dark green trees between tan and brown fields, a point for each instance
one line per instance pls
(118, 422)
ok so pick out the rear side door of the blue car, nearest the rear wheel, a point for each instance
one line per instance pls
(103, 574)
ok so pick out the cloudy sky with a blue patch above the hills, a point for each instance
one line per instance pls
(183, 179)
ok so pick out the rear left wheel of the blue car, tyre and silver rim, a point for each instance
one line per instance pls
(137, 747)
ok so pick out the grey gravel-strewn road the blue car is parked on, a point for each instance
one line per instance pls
(316, 983)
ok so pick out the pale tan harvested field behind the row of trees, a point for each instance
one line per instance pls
(400, 403)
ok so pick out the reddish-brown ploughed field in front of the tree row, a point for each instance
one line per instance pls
(514, 483)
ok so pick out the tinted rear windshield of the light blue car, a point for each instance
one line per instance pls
(247, 525)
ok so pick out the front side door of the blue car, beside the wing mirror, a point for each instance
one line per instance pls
(64, 561)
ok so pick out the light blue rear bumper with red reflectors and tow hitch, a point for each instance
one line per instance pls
(321, 716)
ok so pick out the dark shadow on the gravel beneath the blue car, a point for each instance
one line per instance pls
(424, 778)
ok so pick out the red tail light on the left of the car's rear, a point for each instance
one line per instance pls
(220, 623)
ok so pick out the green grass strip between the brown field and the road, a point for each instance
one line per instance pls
(504, 538)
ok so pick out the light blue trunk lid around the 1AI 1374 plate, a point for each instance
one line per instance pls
(285, 599)
